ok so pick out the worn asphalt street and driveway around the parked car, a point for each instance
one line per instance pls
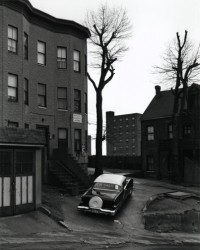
(92, 231)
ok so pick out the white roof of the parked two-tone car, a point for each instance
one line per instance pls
(111, 178)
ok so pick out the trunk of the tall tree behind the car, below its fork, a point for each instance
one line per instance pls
(98, 163)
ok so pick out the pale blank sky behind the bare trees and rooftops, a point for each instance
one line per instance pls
(154, 27)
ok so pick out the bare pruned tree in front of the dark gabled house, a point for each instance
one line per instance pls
(181, 67)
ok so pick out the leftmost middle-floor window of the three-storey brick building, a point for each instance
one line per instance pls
(12, 87)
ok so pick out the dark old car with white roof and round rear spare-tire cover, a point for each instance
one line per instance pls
(107, 194)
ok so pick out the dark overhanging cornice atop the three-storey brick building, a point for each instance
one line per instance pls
(45, 20)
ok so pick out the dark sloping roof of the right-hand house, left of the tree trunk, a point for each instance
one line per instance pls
(160, 107)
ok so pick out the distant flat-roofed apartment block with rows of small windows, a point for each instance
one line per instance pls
(123, 134)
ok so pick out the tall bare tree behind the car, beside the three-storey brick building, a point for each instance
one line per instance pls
(109, 29)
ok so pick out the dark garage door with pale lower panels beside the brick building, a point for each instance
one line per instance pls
(16, 181)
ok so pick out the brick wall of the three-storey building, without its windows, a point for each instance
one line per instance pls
(47, 74)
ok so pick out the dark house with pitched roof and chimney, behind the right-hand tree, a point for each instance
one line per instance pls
(157, 136)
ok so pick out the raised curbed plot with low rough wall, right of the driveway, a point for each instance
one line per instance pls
(172, 212)
